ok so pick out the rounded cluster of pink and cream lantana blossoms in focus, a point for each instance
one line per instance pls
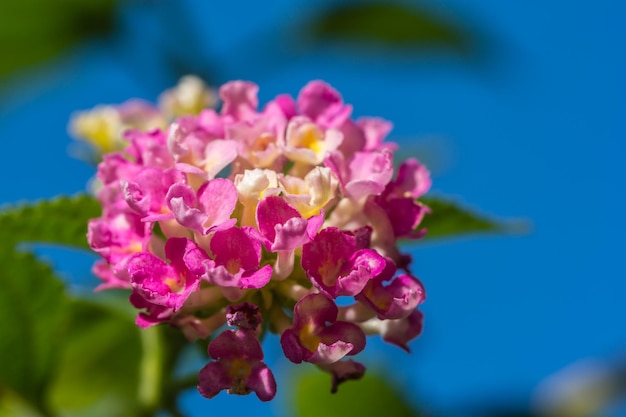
(260, 220)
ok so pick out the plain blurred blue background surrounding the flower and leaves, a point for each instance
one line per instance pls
(533, 129)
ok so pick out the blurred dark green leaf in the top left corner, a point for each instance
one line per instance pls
(32, 31)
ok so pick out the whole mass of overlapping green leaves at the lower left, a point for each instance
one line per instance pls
(58, 353)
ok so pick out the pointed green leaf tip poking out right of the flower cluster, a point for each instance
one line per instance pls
(448, 219)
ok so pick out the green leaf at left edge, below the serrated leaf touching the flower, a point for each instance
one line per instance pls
(32, 306)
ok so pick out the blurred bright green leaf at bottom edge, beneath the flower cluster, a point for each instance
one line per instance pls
(370, 396)
